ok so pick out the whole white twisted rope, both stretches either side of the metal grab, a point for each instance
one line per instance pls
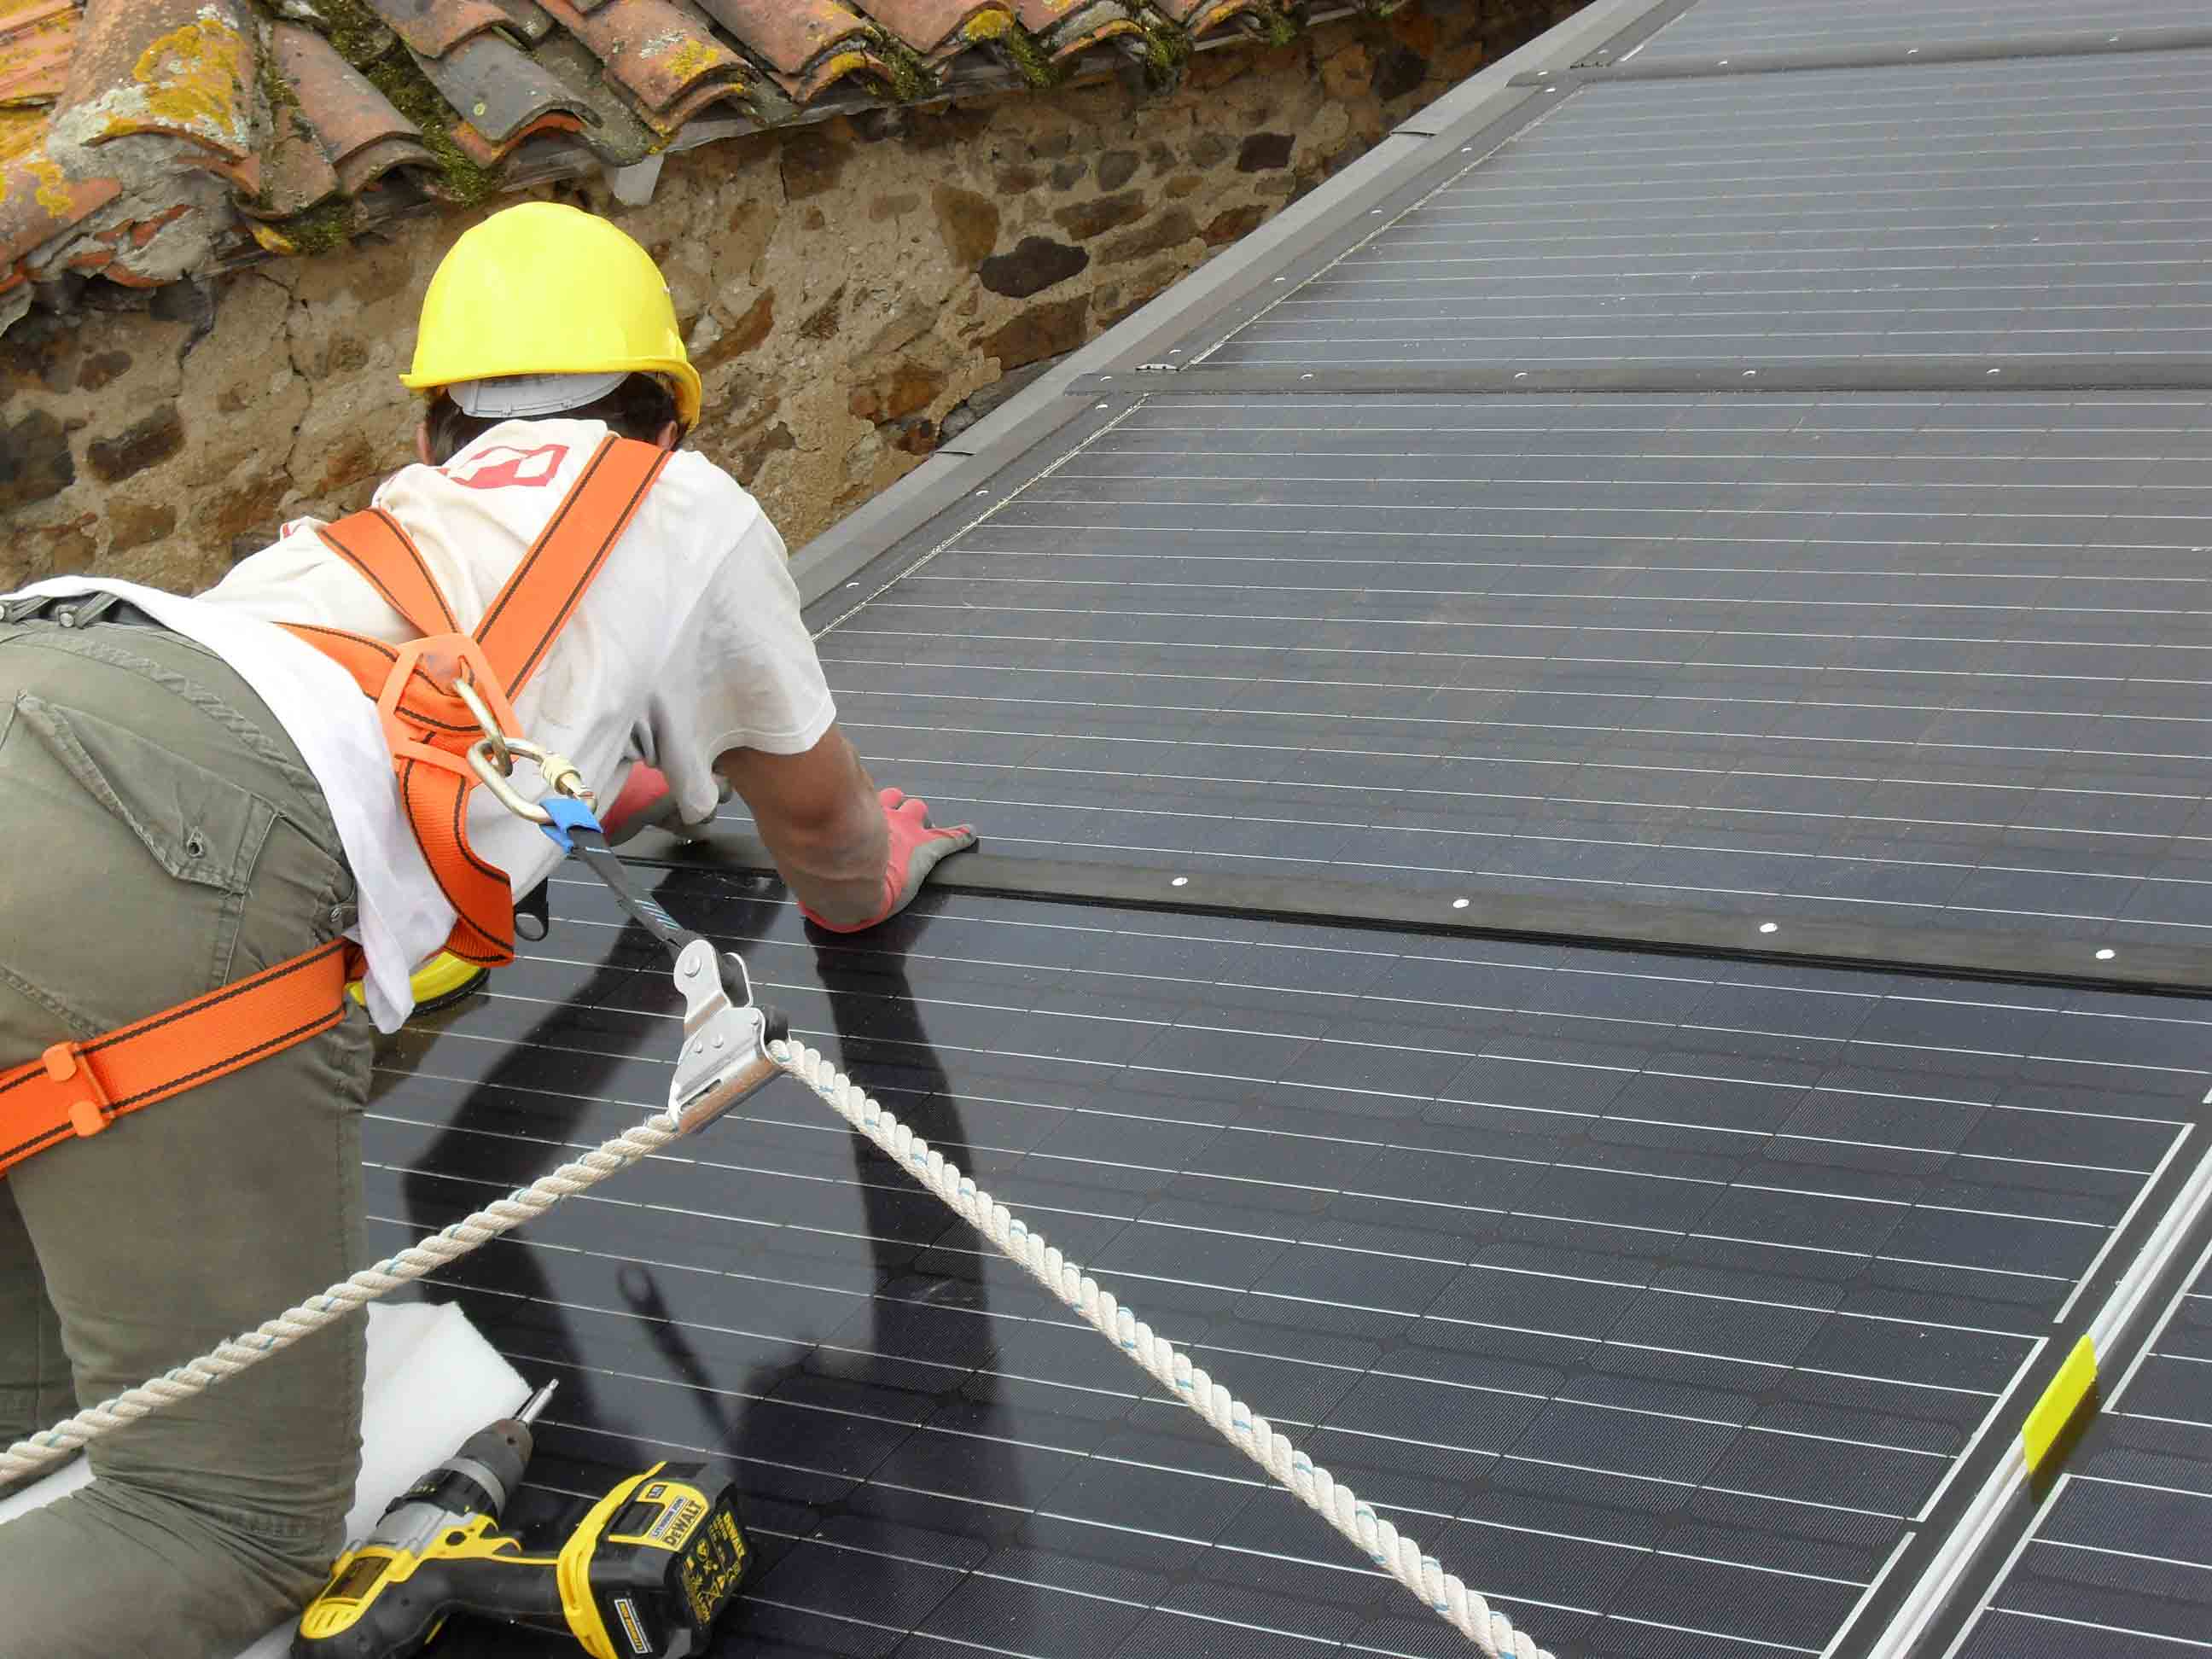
(1390, 1550)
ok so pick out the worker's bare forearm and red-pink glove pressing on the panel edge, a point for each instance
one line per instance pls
(851, 853)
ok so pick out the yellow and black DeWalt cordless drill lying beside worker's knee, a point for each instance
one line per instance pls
(643, 1576)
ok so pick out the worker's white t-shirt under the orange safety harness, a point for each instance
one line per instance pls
(685, 647)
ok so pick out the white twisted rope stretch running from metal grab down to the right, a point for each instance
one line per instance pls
(1390, 1550)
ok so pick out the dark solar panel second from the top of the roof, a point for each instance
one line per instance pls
(2041, 207)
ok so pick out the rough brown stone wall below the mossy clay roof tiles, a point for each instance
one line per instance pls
(844, 291)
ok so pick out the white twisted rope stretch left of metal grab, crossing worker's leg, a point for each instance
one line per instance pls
(342, 1300)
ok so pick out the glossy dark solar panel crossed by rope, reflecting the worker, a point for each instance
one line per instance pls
(1658, 1297)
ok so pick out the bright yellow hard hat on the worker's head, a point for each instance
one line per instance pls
(545, 289)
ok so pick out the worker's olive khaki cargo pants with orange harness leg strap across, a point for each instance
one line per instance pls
(160, 839)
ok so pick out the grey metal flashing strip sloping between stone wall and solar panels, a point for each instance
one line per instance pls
(1047, 406)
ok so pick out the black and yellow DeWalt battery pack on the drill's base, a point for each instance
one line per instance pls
(654, 1565)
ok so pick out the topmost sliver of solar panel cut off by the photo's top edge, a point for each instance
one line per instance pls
(1720, 28)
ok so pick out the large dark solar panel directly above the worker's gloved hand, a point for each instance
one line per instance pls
(1884, 658)
